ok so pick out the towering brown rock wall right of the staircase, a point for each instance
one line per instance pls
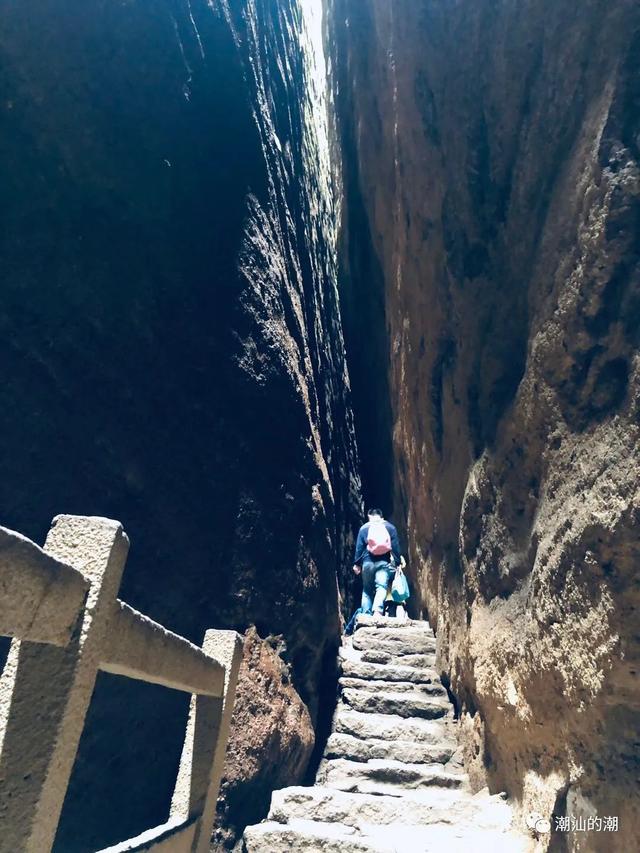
(494, 149)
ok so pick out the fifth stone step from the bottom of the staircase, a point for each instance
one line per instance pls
(391, 726)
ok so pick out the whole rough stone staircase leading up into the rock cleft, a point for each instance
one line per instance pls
(391, 780)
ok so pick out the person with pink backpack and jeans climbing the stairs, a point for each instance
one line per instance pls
(376, 556)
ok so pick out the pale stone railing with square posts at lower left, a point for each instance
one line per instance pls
(60, 606)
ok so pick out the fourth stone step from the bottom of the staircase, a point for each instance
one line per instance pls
(342, 745)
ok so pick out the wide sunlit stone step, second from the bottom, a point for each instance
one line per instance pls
(432, 805)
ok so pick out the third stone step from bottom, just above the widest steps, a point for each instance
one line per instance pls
(385, 776)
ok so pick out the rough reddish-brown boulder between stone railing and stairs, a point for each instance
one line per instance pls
(270, 741)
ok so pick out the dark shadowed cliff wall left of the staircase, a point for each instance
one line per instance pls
(172, 347)
